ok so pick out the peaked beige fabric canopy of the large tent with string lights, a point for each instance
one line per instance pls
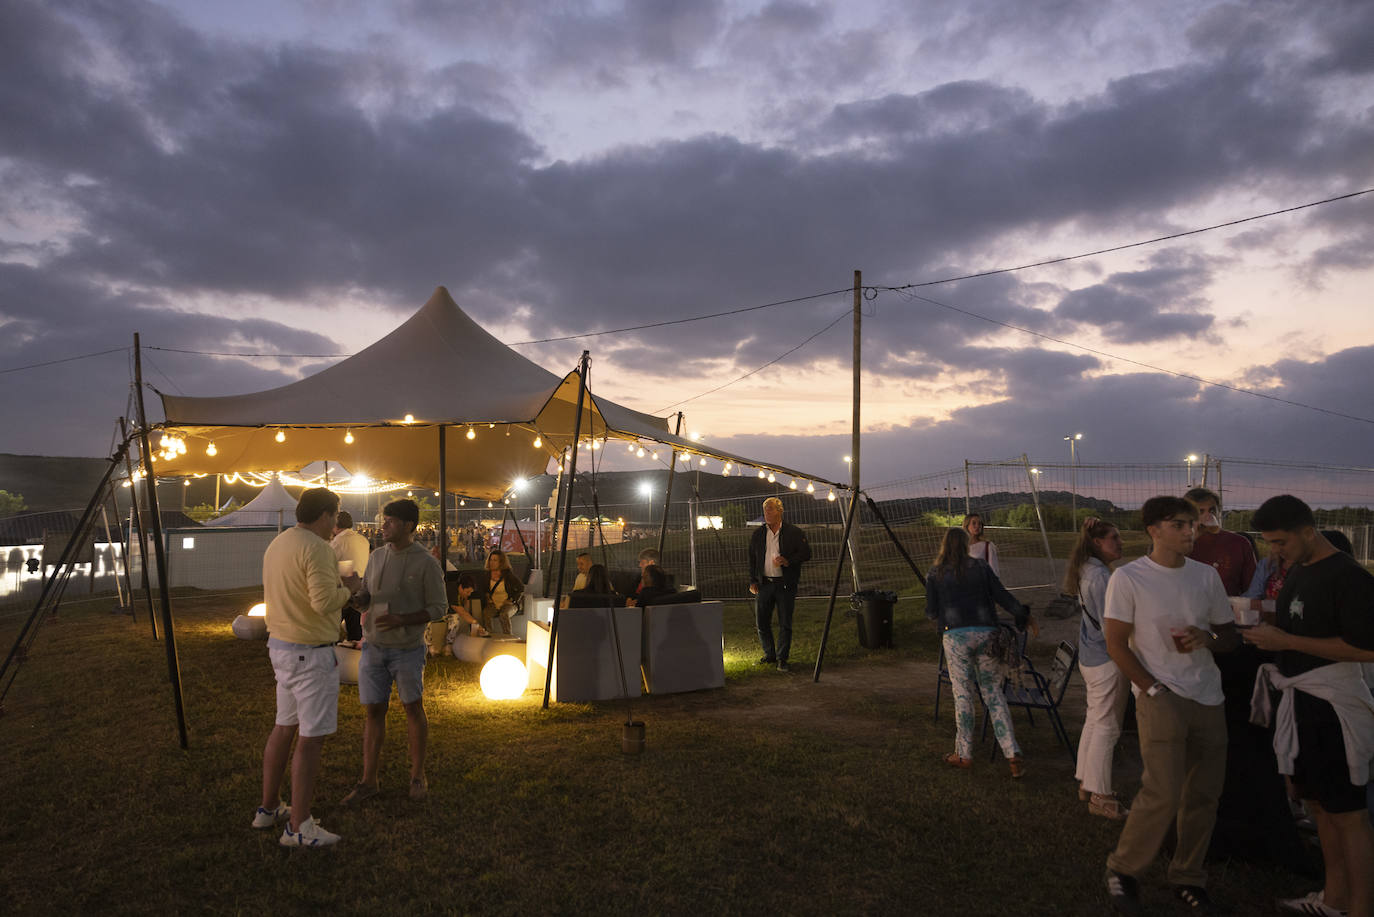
(443, 371)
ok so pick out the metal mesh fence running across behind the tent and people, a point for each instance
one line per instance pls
(1028, 509)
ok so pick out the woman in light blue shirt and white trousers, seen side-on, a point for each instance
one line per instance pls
(1099, 546)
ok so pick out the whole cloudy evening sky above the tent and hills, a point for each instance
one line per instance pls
(297, 177)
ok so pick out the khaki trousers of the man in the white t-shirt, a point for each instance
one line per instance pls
(1184, 750)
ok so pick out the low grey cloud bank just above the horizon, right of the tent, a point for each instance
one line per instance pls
(1125, 419)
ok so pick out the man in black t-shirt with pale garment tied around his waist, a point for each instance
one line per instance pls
(1325, 619)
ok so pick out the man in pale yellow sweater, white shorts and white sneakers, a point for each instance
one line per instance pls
(304, 597)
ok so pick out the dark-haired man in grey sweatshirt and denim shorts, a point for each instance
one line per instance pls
(405, 592)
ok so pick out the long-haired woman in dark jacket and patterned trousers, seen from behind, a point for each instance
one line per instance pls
(962, 595)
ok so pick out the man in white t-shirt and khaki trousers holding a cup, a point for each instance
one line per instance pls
(1166, 615)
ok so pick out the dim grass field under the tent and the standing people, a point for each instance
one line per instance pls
(774, 795)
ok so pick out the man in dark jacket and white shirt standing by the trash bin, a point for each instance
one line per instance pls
(777, 553)
